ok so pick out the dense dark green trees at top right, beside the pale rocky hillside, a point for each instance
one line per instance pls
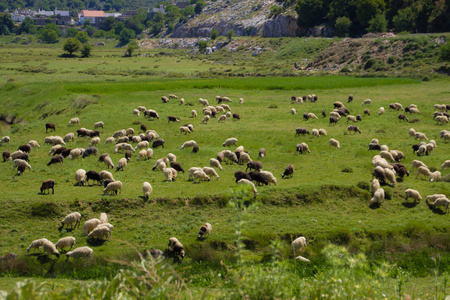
(356, 17)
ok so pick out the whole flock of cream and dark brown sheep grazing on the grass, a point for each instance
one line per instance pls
(387, 164)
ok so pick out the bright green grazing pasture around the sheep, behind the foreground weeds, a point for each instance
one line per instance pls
(344, 218)
